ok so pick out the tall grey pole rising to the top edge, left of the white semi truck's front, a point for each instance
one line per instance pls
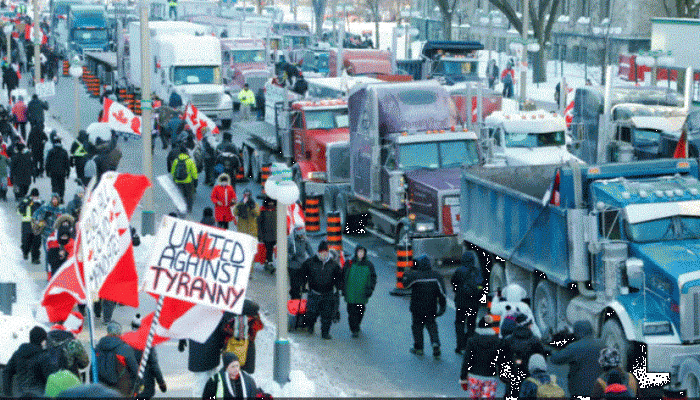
(148, 215)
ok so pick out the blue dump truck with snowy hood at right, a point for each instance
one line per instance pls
(615, 244)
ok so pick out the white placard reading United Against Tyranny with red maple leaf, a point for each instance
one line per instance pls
(200, 264)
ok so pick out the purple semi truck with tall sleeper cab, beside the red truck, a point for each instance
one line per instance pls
(405, 154)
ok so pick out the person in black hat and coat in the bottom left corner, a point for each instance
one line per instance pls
(21, 372)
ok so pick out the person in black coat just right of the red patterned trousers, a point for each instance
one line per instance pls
(518, 347)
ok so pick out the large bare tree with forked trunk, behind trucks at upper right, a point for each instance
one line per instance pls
(543, 14)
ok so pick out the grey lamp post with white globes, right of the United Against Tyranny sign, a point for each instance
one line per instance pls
(281, 187)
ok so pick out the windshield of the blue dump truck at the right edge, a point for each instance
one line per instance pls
(672, 228)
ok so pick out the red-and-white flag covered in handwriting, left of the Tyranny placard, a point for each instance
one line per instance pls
(108, 255)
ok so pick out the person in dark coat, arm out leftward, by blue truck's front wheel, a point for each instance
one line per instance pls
(582, 357)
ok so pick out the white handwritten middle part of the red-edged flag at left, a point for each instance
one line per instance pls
(105, 231)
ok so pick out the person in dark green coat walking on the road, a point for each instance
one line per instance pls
(360, 280)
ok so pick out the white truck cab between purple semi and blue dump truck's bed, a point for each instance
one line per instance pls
(527, 138)
